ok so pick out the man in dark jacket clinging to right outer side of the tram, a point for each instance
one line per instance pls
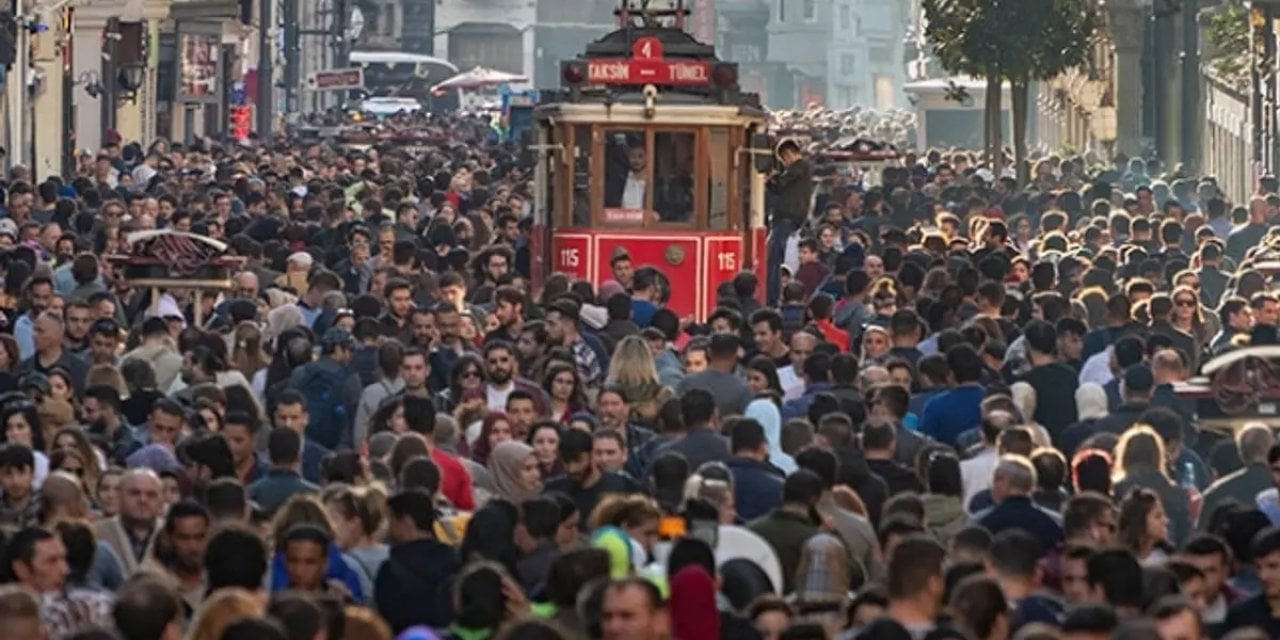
(792, 190)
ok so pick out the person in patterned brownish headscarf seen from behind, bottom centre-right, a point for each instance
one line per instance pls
(822, 583)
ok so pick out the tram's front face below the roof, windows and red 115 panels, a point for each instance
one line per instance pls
(669, 198)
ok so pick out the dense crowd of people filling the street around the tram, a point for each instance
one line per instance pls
(952, 414)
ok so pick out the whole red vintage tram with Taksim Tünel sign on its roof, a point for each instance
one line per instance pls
(650, 150)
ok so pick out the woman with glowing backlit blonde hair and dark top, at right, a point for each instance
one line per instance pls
(1141, 464)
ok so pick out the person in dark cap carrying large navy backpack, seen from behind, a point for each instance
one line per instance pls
(332, 391)
